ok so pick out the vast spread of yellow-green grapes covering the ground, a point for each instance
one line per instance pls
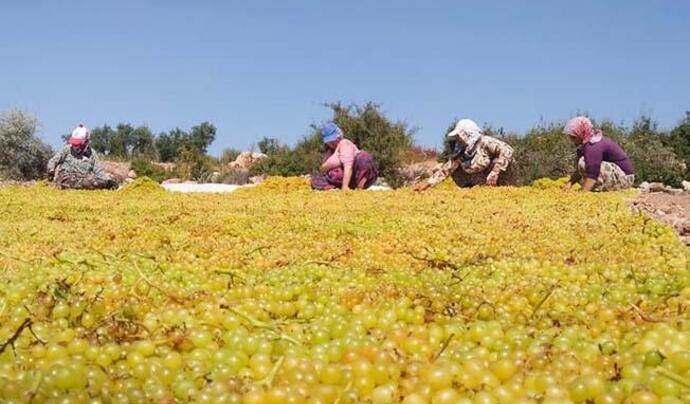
(278, 294)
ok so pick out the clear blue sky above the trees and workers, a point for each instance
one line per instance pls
(263, 68)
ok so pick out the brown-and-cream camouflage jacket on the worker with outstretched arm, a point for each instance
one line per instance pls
(488, 151)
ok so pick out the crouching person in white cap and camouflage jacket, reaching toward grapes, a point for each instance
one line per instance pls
(477, 159)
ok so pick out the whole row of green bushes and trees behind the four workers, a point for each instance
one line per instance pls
(541, 152)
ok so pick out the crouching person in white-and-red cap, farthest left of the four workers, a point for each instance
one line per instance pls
(75, 165)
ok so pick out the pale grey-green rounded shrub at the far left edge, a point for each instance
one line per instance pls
(23, 156)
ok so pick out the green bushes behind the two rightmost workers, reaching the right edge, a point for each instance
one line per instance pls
(544, 151)
